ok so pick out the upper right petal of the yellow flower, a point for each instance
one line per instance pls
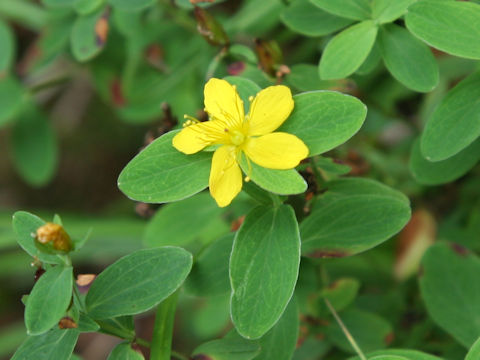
(270, 108)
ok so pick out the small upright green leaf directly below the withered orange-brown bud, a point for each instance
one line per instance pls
(49, 300)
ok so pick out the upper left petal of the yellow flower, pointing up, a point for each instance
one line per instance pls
(222, 102)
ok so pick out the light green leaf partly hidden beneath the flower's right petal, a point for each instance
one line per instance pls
(282, 182)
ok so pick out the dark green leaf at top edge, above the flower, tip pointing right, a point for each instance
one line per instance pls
(305, 18)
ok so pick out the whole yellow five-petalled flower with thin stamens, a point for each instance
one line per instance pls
(251, 135)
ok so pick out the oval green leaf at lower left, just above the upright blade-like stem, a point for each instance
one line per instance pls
(137, 282)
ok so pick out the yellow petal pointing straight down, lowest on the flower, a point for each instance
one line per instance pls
(225, 176)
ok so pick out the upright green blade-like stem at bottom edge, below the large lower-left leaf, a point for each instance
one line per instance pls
(163, 329)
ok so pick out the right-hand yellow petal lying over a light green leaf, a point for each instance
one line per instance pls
(276, 151)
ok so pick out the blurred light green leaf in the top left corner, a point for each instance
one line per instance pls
(25, 13)
